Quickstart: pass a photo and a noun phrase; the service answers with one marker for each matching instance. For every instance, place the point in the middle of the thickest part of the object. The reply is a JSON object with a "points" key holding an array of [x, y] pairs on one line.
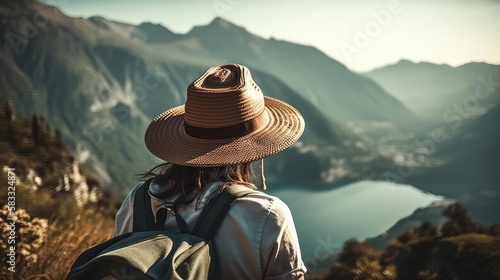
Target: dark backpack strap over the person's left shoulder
{"points": [[144, 218]]}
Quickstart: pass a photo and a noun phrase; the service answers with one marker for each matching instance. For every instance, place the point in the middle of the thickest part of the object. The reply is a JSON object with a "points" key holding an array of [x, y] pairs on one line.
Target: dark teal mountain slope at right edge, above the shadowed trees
{"points": [[470, 169]]}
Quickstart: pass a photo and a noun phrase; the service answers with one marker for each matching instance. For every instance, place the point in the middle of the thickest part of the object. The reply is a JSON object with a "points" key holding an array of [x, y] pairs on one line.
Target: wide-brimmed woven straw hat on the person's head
{"points": [[226, 120]]}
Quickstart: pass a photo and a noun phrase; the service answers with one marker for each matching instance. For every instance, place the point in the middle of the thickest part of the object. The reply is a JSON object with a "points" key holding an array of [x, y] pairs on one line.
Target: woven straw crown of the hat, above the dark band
{"points": [[223, 96]]}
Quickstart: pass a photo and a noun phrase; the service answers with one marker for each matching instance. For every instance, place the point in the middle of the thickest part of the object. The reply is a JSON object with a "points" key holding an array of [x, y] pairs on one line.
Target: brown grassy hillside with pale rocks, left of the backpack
{"points": [[58, 208]]}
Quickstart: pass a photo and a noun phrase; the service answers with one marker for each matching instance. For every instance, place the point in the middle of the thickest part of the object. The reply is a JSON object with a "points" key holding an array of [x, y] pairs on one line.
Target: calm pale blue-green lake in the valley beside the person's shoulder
{"points": [[325, 219]]}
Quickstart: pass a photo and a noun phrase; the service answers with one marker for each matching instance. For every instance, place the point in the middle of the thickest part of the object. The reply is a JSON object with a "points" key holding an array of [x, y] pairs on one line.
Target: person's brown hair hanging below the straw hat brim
{"points": [[190, 180]]}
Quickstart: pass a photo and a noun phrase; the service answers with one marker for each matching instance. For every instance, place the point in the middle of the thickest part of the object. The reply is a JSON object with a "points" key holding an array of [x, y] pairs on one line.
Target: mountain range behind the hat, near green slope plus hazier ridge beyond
{"points": [[101, 82]]}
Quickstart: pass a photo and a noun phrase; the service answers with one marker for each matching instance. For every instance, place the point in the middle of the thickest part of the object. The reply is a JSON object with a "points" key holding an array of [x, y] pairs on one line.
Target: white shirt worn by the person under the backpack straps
{"points": [[256, 240]]}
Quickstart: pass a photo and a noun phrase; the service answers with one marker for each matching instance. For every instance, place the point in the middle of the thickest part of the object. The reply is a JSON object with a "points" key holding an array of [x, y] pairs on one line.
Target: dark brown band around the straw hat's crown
{"points": [[237, 130]]}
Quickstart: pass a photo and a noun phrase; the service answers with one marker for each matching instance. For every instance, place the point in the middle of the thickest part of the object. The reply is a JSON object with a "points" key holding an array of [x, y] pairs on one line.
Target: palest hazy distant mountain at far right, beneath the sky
{"points": [[434, 92]]}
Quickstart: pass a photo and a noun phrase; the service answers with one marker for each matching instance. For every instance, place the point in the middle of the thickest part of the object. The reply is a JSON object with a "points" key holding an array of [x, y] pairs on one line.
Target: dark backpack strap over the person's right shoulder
{"points": [[213, 213]]}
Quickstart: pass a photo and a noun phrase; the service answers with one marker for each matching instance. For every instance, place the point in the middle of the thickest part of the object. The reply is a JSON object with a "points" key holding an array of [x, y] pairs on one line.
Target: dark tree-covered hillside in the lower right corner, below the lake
{"points": [[458, 249]]}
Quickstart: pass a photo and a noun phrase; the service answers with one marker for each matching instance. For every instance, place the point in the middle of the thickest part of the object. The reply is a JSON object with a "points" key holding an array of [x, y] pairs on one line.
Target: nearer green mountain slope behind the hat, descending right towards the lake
{"points": [[102, 85]]}
